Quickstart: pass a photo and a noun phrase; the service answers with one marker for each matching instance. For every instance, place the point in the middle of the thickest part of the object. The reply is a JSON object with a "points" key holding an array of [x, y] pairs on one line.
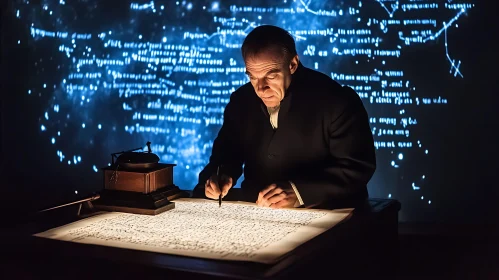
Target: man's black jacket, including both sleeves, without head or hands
{"points": [[323, 143]]}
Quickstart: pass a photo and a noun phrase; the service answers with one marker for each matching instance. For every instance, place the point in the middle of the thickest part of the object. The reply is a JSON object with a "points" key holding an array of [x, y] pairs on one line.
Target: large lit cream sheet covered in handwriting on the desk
{"points": [[238, 231]]}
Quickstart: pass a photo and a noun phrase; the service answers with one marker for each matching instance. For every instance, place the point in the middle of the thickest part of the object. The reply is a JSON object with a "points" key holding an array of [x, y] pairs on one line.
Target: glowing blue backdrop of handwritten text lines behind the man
{"points": [[112, 75]]}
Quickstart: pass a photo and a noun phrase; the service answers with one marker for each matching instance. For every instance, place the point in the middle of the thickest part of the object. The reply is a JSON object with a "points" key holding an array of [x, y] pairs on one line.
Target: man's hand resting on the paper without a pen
{"points": [[277, 196]]}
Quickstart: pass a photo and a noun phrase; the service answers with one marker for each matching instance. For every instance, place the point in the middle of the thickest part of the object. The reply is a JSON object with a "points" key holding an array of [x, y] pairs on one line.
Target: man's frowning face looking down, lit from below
{"points": [[270, 74]]}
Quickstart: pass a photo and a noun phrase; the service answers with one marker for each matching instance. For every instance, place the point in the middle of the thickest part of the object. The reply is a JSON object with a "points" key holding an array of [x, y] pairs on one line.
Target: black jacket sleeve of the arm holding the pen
{"points": [[226, 151]]}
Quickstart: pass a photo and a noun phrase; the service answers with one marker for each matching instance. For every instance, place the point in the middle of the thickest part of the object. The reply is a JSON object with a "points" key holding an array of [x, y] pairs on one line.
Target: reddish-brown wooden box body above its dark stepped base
{"points": [[142, 181]]}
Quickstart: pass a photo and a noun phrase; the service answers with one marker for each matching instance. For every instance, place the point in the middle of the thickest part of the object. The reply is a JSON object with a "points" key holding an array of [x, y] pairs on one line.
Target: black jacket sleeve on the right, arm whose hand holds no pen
{"points": [[352, 159]]}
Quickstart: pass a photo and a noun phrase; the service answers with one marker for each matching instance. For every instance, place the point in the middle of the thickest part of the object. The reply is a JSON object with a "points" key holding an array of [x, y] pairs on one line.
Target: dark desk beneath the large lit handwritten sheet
{"points": [[365, 245]]}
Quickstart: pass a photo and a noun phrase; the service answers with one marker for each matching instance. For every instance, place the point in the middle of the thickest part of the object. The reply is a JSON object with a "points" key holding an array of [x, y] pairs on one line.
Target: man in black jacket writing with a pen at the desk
{"points": [[302, 137]]}
